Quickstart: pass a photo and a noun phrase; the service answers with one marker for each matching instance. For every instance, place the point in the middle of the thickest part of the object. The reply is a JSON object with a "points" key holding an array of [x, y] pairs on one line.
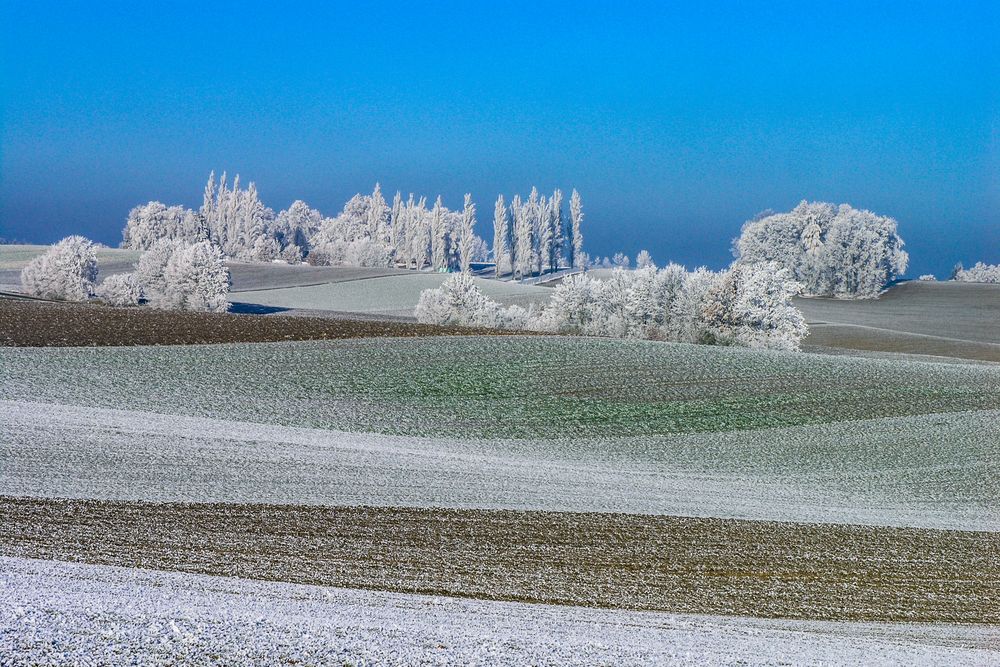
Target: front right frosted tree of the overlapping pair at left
{"points": [[197, 279]]}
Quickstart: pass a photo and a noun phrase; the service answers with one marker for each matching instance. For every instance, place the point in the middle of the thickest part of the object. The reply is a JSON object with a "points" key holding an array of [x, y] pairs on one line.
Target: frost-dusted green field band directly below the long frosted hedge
{"points": [[497, 387]]}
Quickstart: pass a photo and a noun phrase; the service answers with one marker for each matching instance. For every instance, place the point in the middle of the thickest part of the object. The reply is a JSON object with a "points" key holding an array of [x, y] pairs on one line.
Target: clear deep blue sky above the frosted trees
{"points": [[676, 122]]}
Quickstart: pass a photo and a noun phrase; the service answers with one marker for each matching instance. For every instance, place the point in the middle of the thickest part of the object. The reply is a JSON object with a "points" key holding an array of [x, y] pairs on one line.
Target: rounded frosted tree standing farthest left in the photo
{"points": [[67, 270]]}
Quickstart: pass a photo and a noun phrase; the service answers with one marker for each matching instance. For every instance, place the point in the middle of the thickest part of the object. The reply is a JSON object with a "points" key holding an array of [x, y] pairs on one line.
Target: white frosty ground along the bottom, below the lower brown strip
{"points": [[55, 613]]}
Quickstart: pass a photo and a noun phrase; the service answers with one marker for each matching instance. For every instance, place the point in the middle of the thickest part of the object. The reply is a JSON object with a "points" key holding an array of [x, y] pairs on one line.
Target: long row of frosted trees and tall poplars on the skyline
{"points": [[531, 235]]}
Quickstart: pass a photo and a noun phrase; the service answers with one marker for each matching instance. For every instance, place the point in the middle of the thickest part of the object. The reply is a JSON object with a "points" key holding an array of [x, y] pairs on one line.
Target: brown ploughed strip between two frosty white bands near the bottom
{"points": [[714, 566]]}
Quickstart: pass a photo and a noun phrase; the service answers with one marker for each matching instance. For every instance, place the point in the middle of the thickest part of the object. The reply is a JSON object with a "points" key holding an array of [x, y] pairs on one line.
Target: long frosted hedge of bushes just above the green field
{"points": [[748, 305]]}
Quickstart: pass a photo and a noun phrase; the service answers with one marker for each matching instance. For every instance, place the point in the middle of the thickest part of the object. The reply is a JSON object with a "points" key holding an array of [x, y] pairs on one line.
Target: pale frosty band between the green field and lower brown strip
{"points": [[931, 471]]}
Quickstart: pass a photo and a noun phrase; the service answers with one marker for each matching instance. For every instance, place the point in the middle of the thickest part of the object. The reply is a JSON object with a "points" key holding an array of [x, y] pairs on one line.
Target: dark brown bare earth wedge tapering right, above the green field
{"points": [[30, 323]]}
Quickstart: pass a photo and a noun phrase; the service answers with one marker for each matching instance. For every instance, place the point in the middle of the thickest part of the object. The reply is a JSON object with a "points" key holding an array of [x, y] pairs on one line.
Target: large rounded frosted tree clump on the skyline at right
{"points": [[831, 250]]}
